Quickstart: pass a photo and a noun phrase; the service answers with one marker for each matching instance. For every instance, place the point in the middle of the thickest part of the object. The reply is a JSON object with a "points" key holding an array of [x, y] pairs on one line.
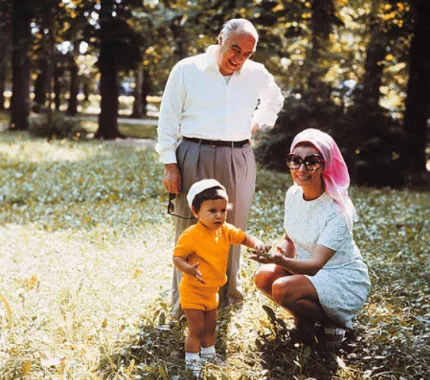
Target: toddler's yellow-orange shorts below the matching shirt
{"points": [[198, 297]]}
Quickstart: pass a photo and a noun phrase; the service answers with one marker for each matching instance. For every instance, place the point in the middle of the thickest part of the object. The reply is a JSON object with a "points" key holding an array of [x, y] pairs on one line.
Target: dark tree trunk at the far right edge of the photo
{"points": [[418, 90]]}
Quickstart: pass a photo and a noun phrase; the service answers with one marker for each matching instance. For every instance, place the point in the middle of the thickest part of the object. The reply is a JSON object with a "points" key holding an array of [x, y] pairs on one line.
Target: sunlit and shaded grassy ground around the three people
{"points": [[86, 269]]}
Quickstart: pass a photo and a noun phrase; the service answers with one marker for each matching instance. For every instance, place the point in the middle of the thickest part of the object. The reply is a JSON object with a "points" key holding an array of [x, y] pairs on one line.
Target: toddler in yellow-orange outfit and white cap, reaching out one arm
{"points": [[201, 254]]}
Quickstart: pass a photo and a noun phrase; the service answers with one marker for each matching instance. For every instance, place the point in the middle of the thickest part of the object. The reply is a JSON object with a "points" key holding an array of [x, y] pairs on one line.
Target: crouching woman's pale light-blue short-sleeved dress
{"points": [[343, 283]]}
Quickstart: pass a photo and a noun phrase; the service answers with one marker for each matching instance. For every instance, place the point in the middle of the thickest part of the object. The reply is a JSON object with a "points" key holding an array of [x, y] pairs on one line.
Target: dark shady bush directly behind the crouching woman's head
{"points": [[379, 156]]}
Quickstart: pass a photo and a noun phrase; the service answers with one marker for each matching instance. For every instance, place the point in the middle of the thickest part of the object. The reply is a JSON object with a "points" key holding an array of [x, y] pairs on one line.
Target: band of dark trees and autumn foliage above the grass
{"points": [[357, 69]]}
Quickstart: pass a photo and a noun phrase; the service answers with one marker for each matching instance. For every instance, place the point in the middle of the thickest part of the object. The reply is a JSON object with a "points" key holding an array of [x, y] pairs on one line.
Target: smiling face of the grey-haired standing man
{"points": [[234, 51]]}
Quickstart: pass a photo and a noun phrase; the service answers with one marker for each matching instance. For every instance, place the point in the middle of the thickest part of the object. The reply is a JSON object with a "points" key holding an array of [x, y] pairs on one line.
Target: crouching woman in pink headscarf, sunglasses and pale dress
{"points": [[317, 273]]}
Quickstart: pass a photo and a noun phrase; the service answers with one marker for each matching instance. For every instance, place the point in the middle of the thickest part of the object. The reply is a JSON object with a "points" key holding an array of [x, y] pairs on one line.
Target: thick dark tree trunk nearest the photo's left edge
{"points": [[21, 37]]}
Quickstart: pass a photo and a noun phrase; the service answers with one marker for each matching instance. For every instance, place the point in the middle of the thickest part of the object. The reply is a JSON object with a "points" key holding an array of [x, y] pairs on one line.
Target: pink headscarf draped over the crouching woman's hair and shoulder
{"points": [[335, 176]]}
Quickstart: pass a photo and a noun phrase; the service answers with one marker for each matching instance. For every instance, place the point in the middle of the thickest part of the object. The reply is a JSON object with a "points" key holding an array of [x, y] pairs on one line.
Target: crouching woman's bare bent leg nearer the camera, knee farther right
{"points": [[297, 294]]}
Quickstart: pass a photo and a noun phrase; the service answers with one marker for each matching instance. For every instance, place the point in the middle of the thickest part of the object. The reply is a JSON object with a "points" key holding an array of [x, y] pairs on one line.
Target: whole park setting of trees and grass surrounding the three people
{"points": [[82, 220]]}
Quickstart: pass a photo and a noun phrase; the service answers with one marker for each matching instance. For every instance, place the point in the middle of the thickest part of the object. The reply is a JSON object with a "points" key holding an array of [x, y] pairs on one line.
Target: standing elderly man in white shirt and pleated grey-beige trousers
{"points": [[216, 101]]}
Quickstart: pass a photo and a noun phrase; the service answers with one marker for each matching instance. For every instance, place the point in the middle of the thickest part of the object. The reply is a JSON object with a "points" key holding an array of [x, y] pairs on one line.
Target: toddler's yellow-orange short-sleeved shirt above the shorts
{"points": [[199, 244]]}
